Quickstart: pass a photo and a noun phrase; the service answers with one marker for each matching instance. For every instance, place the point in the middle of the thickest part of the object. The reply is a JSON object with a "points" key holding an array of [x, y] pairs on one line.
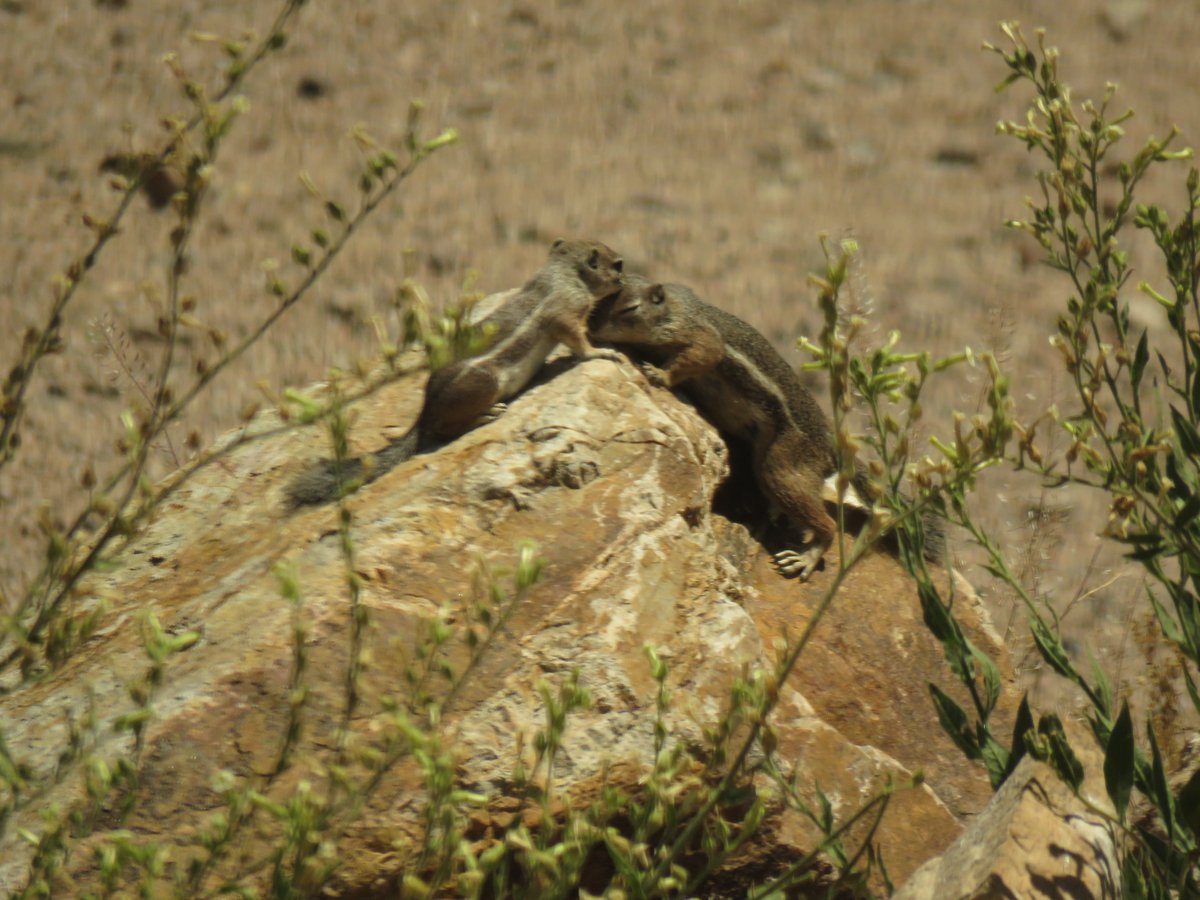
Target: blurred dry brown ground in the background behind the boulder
{"points": [[710, 142]]}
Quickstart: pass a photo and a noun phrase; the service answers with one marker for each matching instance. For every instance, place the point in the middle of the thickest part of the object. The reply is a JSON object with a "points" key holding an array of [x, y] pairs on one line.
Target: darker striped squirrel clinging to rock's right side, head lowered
{"points": [[747, 391]]}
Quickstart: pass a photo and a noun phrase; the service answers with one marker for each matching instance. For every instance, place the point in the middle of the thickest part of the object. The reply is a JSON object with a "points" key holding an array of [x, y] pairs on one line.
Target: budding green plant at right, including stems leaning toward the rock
{"points": [[1132, 437]]}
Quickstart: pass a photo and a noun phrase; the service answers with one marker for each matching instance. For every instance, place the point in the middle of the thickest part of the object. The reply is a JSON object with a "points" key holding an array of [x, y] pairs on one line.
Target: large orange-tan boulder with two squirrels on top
{"points": [[615, 482]]}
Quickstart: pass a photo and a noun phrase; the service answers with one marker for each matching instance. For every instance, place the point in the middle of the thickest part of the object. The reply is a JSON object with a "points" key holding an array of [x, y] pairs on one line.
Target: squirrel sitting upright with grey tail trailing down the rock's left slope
{"points": [[551, 309]]}
